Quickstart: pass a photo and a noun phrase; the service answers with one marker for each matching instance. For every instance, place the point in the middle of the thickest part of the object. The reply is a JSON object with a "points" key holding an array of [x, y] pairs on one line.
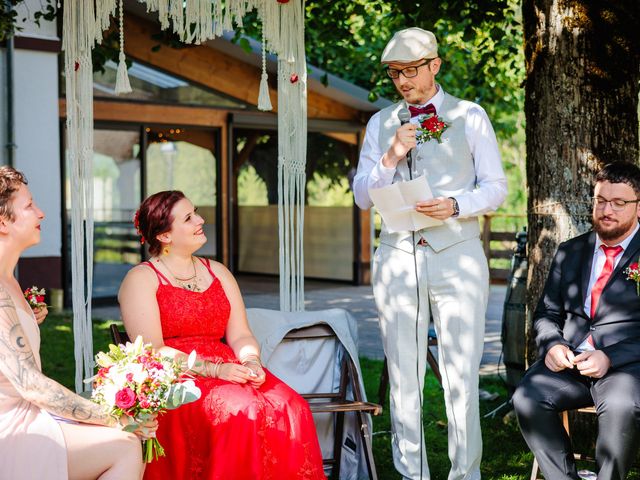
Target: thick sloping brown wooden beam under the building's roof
{"points": [[216, 70]]}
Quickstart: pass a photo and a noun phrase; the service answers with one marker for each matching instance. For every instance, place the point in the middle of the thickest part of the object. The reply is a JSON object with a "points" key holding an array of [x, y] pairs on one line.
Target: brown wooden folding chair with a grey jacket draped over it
{"points": [[337, 403]]}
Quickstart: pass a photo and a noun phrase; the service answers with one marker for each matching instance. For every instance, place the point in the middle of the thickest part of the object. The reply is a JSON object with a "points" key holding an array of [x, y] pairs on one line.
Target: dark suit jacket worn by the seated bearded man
{"points": [[560, 317]]}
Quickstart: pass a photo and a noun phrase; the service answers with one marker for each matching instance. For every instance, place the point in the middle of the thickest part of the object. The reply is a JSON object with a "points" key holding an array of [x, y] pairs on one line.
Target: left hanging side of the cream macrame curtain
{"points": [[79, 37]]}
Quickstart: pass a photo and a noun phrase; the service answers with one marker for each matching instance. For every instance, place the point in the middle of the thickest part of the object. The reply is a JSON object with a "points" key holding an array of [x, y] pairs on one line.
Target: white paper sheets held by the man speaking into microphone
{"points": [[396, 204]]}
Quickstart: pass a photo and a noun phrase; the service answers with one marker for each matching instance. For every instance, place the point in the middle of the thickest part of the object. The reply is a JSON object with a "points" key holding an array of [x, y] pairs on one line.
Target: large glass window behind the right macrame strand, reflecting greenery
{"points": [[328, 221]]}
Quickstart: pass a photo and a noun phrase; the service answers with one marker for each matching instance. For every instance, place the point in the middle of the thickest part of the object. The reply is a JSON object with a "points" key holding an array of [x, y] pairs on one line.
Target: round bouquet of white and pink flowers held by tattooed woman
{"points": [[135, 381]]}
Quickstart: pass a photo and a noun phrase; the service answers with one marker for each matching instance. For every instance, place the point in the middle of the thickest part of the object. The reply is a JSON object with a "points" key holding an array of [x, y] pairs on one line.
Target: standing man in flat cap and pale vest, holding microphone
{"points": [[441, 271]]}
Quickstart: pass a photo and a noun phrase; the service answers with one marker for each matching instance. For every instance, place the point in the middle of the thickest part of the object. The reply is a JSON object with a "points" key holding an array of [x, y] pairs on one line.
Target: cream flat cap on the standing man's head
{"points": [[410, 45]]}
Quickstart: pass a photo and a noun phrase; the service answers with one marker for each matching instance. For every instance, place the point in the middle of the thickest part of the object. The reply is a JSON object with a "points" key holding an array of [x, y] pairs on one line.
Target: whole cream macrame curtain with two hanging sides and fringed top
{"points": [[194, 21]]}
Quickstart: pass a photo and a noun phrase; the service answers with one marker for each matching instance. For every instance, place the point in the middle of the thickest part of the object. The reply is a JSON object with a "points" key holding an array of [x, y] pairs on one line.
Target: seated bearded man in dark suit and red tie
{"points": [[587, 327]]}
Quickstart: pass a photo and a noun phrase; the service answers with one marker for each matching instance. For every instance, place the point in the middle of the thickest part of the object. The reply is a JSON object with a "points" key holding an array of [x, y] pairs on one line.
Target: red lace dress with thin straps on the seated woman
{"points": [[234, 432]]}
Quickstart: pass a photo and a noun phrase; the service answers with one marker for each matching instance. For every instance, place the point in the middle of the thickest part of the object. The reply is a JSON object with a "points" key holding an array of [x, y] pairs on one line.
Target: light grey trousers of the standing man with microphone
{"points": [[453, 286]]}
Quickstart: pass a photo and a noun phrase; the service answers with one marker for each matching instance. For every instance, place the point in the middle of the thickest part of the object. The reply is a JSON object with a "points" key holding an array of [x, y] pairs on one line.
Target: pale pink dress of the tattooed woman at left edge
{"points": [[32, 446]]}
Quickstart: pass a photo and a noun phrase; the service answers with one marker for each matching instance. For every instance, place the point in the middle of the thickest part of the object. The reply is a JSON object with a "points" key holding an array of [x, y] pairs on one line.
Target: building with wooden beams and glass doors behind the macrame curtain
{"points": [[190, 124]]}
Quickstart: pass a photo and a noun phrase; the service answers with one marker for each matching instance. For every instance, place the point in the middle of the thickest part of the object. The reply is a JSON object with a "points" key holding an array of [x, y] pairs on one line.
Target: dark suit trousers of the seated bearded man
{"points": [[542, 394]]}
